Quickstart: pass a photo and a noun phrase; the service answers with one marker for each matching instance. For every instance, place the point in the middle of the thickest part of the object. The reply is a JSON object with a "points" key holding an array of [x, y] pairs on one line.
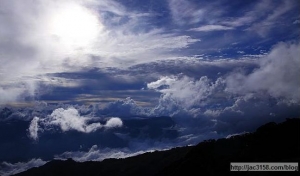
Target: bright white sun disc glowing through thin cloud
{"points": [[74, 26]]}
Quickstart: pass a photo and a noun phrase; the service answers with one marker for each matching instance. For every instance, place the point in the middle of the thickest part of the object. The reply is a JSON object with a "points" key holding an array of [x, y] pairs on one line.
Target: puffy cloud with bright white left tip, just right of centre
{"points": [[186, 92]]}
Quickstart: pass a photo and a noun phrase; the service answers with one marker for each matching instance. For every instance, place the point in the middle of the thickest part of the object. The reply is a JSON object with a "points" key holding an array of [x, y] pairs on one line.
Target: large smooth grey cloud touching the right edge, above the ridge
{"points": [[277, 75]]}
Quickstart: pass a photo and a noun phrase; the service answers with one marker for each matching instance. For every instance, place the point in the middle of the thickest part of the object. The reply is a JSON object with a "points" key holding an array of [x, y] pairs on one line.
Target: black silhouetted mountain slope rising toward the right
{"points": [[270, 143]]}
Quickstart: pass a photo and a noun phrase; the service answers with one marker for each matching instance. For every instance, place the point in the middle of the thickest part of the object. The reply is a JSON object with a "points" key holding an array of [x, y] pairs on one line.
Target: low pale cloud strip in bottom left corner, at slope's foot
{"points": [[7, 169]]}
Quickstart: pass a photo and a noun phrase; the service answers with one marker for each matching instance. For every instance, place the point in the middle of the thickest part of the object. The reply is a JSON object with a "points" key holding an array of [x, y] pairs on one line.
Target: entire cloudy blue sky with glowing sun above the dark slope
{"points": [[93, 79]]}
